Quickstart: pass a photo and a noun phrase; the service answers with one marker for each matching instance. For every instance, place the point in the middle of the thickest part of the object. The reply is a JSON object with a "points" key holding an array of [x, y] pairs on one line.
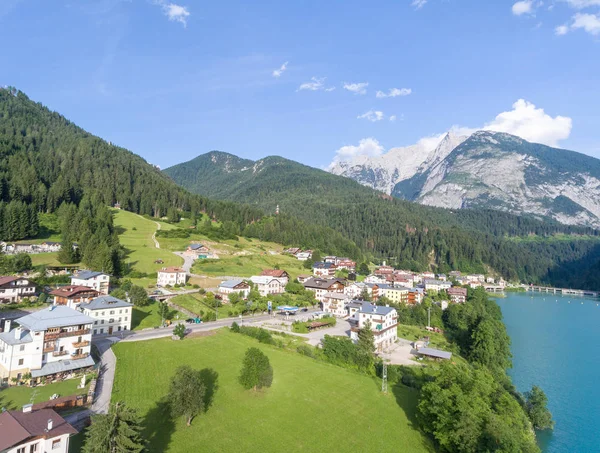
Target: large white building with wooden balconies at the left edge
{"points": [[50, 343]]}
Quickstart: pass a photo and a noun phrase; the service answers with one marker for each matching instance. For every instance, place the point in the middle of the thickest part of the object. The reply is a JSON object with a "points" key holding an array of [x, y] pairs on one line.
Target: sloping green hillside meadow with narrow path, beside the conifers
{"points": [[135, 234]]}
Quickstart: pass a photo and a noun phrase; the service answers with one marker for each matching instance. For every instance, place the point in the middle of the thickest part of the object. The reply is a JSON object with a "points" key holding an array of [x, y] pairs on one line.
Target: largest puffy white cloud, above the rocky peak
{"points": [[533, 124]]}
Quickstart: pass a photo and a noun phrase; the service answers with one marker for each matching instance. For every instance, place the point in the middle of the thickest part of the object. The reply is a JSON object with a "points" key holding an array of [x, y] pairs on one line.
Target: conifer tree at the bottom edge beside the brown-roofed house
{"points": [[118, 431]]}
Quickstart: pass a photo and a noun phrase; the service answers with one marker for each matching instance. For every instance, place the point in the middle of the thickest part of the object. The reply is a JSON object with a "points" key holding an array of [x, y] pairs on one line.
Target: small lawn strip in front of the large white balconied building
{"points": [[15, 397]]}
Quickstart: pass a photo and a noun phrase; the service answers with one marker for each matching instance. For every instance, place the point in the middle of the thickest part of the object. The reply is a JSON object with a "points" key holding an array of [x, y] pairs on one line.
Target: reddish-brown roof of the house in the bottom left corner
{"points": [[17, 426]]}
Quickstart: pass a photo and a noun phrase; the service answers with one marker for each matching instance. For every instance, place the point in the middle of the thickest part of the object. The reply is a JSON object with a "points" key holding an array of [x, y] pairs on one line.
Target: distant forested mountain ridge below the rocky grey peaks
{"points": [[408, 234]]}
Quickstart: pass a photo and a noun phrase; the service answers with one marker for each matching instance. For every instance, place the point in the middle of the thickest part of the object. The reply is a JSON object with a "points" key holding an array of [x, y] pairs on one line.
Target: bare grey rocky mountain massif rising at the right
{"points": [[493, 170]]}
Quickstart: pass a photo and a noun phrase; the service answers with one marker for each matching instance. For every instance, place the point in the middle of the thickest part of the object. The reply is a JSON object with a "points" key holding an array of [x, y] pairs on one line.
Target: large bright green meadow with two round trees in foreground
{"points": [[311, 406]]}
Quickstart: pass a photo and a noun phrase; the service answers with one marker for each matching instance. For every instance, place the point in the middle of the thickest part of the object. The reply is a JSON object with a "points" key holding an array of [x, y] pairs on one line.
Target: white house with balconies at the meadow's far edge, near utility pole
{"points": [[383, 321]]}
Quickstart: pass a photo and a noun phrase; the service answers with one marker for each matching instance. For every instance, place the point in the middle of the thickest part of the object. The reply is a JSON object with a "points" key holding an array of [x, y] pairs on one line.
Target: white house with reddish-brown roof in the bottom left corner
{"points": [[29, 431]]}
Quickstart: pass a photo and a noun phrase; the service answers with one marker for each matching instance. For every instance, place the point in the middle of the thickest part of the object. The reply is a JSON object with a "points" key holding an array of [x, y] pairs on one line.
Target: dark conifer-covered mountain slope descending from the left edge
{"points": [[47, 162]]}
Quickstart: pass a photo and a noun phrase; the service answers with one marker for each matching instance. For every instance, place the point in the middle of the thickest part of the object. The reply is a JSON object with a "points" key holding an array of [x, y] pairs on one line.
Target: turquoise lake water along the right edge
{"points": [[556, 345]]}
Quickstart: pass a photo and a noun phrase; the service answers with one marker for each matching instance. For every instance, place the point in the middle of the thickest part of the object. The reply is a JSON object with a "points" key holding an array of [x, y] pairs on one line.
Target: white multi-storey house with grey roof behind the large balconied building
{"points": [[110, 314]]}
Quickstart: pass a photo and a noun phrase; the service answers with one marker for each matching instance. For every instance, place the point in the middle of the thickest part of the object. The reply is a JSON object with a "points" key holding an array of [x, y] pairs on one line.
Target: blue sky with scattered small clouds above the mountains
{"points": [[170, 81]]}
